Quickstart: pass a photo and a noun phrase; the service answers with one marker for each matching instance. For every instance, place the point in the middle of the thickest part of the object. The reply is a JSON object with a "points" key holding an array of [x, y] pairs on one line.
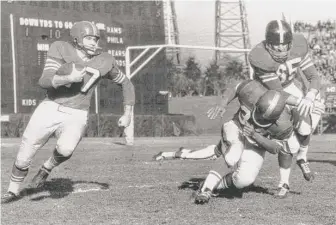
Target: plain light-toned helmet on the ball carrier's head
{"points": [[82, 29]]}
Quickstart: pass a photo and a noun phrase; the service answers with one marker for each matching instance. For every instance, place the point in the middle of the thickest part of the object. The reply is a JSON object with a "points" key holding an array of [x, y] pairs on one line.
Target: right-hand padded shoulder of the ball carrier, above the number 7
{"points": [[103, 62]]}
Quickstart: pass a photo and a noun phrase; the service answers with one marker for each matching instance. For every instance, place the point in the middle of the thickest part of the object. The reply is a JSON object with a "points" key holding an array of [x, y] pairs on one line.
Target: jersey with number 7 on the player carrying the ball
{"points": [[71, 96]]}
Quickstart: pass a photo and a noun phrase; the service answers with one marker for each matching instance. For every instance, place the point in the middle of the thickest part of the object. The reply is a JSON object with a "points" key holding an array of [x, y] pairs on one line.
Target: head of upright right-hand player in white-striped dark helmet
{"points": [[279, 38]]}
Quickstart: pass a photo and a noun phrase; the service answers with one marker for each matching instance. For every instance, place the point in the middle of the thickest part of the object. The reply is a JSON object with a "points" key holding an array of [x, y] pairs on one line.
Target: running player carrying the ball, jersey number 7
{"points": [[71, 73]]}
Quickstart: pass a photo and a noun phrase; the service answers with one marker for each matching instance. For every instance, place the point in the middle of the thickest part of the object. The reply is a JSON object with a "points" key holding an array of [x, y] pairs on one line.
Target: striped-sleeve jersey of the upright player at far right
{"points": [[277, 75]]}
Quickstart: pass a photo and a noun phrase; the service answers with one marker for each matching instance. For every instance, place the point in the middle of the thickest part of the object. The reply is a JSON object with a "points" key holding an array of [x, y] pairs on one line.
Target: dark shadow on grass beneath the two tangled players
{"points": [[230, 193]]}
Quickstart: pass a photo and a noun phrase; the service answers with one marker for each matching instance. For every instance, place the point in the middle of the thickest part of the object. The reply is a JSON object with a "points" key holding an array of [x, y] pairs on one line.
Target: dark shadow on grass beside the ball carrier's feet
{"points": [[59, 188]]}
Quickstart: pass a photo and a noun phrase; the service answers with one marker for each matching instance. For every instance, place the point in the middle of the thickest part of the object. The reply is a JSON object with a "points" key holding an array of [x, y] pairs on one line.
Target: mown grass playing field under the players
{"points": [[106, 182]]}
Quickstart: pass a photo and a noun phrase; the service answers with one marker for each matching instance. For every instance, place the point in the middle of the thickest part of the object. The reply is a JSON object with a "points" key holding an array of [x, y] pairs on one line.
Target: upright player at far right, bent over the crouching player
{"points": [[276, 62]]}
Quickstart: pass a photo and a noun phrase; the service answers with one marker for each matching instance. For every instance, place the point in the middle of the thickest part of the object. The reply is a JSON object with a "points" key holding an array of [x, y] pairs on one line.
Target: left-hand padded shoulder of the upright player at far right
{"points": [[260, 58]]}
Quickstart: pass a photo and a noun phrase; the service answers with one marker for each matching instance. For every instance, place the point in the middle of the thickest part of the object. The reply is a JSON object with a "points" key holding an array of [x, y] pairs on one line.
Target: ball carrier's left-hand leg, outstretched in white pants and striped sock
{"points": [[41, 125]]}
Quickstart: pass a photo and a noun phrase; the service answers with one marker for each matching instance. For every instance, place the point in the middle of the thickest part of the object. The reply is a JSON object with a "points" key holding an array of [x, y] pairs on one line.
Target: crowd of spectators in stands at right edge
{"points": [[322, 41]]}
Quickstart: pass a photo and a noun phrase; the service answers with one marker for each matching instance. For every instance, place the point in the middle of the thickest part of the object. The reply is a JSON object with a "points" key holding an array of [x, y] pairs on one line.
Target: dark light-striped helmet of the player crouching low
{"points": [[268, 108]]}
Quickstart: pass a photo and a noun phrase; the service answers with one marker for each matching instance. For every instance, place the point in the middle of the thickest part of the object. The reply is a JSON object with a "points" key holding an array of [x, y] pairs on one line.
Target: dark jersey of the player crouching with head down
{"points": [[248, 93]]}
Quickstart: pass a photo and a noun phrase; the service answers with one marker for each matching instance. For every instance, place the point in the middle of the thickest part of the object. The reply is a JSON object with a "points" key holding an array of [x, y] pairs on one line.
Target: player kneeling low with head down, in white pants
{"points": [[263, 123]]}
